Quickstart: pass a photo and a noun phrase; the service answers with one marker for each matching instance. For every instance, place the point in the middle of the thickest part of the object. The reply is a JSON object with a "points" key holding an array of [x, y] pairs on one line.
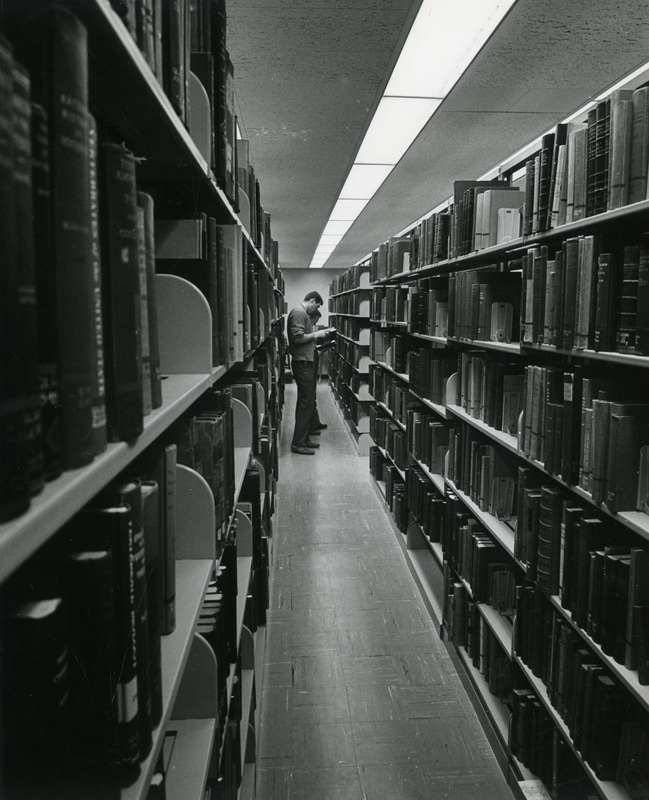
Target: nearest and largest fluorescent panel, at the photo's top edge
{"points": [[442, 42]]}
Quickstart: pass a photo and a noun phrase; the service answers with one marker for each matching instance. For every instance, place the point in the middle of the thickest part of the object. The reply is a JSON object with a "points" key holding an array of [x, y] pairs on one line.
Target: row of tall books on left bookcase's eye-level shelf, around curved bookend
{"points": [[85, 368]]}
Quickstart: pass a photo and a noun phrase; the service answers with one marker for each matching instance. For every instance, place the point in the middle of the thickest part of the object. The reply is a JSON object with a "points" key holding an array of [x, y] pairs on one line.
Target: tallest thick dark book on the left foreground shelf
{"points": [[56, 54]]}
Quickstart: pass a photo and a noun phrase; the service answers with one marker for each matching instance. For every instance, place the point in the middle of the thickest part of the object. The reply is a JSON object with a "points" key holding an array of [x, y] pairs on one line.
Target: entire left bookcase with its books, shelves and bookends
{"points": [[212, 297]]}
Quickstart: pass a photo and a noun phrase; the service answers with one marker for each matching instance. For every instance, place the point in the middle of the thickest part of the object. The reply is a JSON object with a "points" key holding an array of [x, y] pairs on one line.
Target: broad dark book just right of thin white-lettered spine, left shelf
{"points": [[121, 295]]}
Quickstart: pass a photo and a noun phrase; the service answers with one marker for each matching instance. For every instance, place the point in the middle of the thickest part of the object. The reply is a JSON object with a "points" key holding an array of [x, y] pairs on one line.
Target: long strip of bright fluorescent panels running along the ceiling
{"points": [[441, 44]]}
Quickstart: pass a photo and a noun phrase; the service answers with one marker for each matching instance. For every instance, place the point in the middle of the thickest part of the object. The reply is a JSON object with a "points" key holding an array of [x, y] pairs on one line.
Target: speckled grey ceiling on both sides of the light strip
{"points": [[309, 74]]}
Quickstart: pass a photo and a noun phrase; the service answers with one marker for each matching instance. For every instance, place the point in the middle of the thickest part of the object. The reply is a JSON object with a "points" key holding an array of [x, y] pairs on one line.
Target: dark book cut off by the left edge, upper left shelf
{"points": [[15, 478]]}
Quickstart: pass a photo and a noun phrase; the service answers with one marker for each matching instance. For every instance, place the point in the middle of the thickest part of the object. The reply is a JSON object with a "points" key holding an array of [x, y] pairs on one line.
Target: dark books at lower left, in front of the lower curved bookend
{"points": [[81, 651]]}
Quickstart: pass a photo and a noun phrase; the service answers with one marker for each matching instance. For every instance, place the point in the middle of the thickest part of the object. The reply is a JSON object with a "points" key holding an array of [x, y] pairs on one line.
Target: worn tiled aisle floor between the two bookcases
{"points": [[361, 699]]}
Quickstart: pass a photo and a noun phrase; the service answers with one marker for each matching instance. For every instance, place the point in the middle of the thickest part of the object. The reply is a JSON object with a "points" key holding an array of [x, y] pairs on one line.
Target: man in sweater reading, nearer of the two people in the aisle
{"points": [[301, 345]]}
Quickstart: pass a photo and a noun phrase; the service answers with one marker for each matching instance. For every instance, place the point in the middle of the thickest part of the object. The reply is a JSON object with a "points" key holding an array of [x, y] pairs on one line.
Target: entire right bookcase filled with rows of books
{"points": [[495, 369]]}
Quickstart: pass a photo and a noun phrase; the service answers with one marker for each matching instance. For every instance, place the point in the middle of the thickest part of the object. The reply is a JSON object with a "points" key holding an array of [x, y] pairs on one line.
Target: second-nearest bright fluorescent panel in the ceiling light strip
{"points": [[396, 124]]}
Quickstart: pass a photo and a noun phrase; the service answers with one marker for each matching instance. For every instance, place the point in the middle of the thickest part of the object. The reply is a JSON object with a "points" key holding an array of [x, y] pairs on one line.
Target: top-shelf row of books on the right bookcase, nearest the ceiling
{"points": [[581, 169]]}
